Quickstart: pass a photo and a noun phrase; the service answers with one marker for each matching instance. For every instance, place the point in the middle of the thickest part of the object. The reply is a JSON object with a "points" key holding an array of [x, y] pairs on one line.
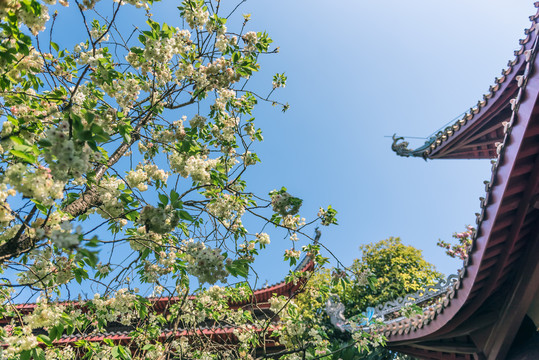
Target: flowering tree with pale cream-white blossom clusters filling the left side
{"points": [[123, 160]]}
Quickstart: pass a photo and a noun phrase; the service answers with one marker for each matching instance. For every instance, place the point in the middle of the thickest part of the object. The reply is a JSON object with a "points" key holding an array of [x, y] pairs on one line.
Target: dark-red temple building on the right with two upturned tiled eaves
{"points": [[490, 310]]}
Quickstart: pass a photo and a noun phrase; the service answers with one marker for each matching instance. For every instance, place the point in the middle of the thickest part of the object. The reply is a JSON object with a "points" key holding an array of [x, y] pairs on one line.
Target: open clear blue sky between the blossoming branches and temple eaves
{"points": [[362, 70]]}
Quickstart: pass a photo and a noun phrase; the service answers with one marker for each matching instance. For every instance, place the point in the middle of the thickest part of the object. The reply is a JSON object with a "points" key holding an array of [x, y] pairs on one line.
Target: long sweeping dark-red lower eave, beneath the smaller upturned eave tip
{"points": [[507, 226]]}
